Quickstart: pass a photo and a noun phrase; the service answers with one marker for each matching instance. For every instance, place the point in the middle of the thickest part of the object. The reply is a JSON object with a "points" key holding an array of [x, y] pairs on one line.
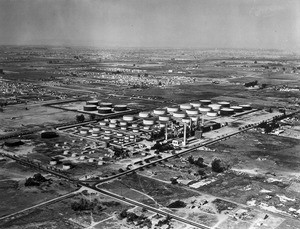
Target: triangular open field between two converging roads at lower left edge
{"points": [[15, 196]]}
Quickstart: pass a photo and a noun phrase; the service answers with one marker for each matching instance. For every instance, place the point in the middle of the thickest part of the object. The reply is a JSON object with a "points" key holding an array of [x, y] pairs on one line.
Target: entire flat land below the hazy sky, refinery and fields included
{"points": [[123, 140]]}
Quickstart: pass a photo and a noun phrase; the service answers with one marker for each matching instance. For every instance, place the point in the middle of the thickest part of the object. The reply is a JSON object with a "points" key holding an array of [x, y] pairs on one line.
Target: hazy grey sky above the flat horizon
{"points": [[152, 23]]}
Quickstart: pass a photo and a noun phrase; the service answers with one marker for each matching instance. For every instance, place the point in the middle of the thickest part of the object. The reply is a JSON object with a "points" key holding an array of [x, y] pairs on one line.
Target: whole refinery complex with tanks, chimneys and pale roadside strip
{"points": [[180, 127]]}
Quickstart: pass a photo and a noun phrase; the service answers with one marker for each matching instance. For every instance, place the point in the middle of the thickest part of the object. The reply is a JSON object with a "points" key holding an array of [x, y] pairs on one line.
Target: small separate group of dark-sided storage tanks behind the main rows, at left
{"points": [[103, 107]]}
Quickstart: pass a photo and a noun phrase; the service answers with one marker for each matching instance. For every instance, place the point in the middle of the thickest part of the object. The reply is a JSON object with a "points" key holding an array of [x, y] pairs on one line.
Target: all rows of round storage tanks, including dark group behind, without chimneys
{"points": [[135, 124]]}
